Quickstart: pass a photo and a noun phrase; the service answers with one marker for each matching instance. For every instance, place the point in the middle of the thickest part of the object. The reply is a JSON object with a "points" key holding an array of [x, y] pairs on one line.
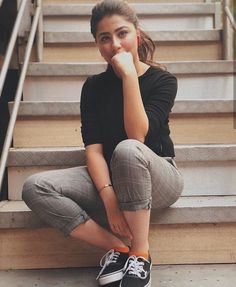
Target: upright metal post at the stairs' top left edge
{"points": [[39, 34]]}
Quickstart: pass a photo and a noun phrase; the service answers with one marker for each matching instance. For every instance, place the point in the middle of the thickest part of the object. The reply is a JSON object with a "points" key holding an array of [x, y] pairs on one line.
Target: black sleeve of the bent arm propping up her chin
{"points": [[159, 104]]}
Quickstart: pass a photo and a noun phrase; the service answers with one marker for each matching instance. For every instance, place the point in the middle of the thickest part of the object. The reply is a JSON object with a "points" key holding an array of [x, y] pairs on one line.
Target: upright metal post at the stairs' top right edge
{"points": [[227, 33]]}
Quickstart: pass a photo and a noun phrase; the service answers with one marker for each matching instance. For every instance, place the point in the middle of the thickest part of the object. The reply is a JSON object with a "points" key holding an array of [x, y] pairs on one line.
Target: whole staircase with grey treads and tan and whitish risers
{"points": [[201, 226]]}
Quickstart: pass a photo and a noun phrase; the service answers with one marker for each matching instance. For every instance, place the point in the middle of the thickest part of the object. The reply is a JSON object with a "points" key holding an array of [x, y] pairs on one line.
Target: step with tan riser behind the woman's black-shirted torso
{"points": [[45, 124]]}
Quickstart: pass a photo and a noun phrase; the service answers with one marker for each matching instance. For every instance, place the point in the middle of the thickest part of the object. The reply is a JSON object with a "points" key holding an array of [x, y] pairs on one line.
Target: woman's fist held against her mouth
{"points": [[123, 64]]}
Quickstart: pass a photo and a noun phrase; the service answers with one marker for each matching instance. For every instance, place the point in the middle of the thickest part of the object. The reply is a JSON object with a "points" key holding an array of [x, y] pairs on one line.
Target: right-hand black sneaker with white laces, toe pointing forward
{"points": [[137, 272]]}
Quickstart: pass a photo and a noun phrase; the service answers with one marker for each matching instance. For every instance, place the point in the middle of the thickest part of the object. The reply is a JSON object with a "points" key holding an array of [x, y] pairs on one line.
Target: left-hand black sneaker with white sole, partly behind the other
{"points": [[112, 264]]}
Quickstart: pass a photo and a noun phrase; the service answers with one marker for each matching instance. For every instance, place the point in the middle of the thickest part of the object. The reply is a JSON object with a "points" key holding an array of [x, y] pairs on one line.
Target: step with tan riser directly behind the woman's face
{"points": [[171, 45]]}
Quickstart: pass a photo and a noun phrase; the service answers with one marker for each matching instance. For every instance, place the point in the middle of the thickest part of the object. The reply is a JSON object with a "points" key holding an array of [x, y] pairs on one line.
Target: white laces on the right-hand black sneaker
{"points": [[135, 267]]}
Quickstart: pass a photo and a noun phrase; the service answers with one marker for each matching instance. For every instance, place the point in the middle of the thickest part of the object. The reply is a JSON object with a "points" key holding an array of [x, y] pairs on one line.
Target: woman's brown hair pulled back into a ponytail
{"points": [[146, 48]]}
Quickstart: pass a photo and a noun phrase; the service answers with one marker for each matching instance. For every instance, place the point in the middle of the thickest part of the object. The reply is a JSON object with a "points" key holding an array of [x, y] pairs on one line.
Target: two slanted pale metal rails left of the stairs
{"points": [[8, 138]]}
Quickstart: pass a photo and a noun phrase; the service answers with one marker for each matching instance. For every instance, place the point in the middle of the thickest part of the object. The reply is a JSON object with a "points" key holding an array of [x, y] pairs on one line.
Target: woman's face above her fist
{"points": [[114, 35]]}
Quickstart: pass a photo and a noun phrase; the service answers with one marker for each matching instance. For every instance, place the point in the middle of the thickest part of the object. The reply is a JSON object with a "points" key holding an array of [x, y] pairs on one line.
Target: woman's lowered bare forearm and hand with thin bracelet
{"points": [[99, 173]]}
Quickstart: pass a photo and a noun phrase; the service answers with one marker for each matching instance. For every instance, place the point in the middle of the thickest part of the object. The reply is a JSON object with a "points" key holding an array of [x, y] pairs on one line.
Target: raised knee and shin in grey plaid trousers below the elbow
{"points": [[130, 173]]}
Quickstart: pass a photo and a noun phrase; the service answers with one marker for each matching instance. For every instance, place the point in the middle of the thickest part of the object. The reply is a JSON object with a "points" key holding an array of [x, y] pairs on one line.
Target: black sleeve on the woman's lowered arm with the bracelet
{"points": [[90, 125]]}
